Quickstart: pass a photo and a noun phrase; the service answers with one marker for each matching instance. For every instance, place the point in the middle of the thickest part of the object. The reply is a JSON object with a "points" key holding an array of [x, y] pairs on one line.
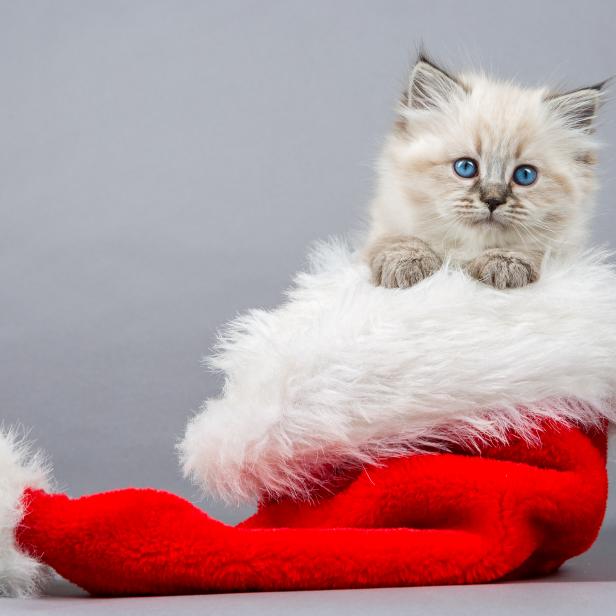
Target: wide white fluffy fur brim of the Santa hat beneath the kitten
{"points": [[345, 372]]}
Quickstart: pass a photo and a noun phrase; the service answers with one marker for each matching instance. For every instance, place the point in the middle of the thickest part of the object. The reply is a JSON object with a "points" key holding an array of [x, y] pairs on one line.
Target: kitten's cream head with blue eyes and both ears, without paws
{"points": [[490, 163]]}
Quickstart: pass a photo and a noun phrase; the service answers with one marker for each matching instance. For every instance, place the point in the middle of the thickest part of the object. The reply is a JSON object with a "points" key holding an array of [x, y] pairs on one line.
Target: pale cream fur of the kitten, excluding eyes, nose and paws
{"points": [[501, 126]]}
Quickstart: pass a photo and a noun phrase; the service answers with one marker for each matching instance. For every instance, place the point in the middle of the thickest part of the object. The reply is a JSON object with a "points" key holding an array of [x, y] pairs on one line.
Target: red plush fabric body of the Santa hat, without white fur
{"points": [[513, 511]]}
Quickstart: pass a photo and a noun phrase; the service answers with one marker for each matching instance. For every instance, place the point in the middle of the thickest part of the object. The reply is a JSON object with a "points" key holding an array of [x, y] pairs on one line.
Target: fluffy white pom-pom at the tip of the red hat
{"points": [[20, 468]]}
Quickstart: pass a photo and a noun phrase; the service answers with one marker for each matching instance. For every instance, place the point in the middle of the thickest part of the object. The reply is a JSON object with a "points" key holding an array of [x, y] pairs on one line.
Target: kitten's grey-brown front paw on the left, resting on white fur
{"points": [[401, 261]]}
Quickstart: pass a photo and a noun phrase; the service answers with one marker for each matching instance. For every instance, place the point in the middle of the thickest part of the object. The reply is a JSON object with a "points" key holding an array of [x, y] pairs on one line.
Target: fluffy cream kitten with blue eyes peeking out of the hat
{"points": [[485, 173]]}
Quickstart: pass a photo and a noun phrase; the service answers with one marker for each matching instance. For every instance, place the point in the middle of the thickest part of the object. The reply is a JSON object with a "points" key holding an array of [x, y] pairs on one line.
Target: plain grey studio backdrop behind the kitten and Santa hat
{"points": [[164, 165]]}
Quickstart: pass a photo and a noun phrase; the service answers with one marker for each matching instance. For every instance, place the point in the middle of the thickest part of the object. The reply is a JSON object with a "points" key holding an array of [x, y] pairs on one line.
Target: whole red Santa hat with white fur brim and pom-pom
{"points": [[445, 434]]}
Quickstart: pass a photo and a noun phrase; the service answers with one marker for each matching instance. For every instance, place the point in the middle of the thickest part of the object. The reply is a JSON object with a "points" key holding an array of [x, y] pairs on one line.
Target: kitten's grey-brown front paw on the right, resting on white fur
{"points": [[503, 269]]}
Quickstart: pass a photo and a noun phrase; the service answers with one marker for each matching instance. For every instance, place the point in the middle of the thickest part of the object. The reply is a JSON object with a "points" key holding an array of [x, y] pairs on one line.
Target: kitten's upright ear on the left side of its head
{"points": [[430, 87]]}
